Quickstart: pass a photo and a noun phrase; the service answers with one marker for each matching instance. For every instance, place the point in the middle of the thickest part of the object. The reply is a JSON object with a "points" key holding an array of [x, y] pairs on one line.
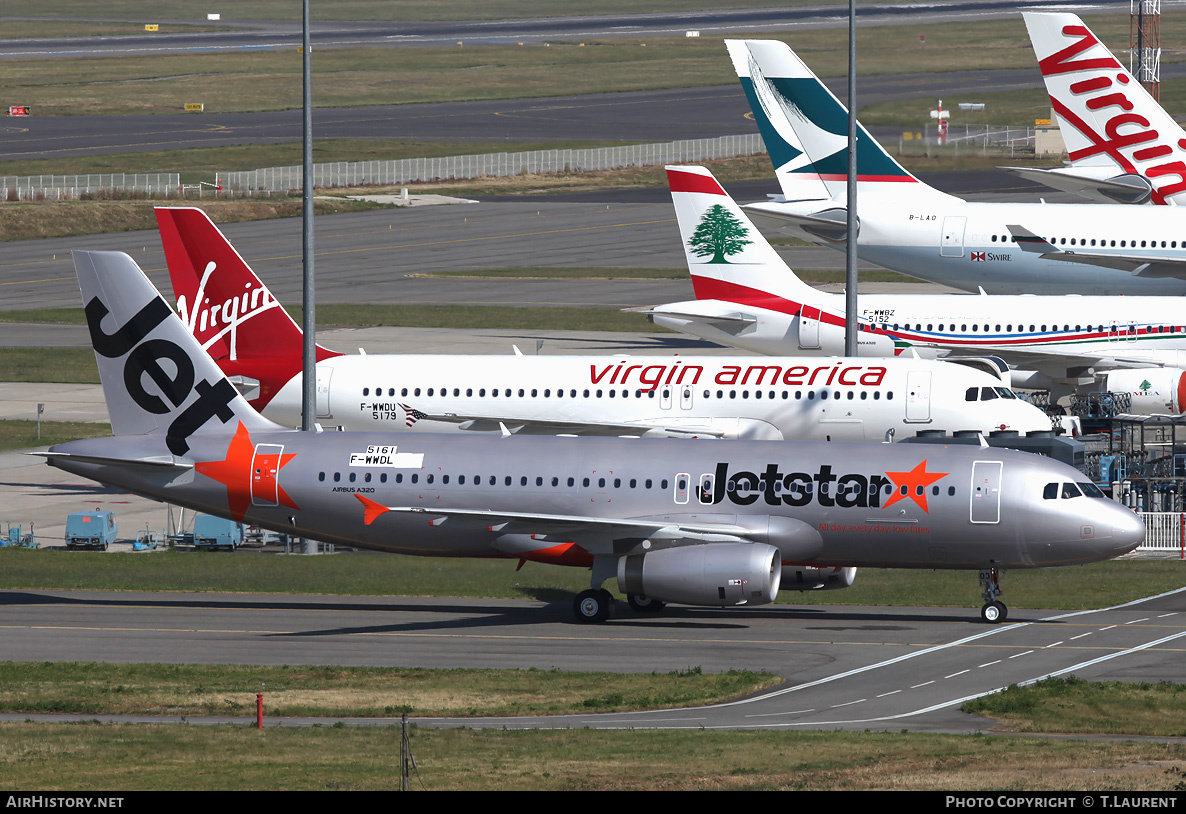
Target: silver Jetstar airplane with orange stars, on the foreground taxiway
{"points": [[653, 513]]}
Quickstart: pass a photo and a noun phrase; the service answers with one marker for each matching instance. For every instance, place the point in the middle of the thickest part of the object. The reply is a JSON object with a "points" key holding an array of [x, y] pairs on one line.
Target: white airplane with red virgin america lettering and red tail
{"points": [[244, 328]]}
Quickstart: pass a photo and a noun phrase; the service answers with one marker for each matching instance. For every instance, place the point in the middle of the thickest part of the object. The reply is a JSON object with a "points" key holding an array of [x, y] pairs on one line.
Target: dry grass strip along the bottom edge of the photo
{"points": [[94, 759]]}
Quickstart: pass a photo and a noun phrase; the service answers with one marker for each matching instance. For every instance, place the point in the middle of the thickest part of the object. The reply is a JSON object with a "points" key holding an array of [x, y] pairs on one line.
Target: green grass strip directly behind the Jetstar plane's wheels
{"points": [[372, 575]]}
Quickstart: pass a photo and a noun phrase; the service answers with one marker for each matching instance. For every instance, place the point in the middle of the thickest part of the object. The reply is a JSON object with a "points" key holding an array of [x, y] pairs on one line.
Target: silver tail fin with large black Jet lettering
{"points": [[157, 379]]}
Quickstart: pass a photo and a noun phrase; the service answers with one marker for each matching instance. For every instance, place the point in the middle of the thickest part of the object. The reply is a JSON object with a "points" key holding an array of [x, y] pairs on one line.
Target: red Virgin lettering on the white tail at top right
{"points": [[1128, 138]]}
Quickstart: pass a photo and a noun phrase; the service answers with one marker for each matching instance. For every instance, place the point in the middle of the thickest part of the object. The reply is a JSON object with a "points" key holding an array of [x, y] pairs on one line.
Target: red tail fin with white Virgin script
{"points": [[225, 304]]}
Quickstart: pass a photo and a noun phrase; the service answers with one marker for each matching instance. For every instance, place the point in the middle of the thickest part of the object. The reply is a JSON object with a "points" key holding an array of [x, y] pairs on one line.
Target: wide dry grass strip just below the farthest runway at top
{"points": [[269, 80]]}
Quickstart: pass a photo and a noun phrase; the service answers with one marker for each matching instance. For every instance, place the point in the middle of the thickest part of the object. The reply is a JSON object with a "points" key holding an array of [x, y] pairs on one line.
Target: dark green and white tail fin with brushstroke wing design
{"points": [[788, 98]]}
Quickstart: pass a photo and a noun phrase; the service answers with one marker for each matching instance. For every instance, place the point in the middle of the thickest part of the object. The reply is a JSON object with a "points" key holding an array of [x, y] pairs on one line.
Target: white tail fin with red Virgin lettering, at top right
{"points": [[1115, 132]]}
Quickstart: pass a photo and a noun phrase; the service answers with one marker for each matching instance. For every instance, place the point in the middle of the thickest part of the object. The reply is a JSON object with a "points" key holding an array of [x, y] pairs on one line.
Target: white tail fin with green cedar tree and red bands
{"points": [[728, 257]]}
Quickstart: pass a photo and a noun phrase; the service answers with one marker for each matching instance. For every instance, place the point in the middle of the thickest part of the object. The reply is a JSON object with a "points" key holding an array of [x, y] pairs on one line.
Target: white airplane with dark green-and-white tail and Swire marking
{"points": [[904, 225]]}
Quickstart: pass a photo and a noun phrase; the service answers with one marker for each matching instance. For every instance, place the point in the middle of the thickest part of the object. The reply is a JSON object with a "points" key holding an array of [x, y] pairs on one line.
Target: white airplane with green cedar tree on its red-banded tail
{"points": [[749, 298]]}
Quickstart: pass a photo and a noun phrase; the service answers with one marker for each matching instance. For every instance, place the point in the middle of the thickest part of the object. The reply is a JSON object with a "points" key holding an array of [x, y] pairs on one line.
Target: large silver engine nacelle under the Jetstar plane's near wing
{"points": [[715, 574]]}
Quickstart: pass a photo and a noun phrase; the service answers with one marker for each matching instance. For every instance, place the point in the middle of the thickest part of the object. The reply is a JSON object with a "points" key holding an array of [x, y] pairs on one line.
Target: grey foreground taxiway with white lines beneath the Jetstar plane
{"points": [[846, 669]]}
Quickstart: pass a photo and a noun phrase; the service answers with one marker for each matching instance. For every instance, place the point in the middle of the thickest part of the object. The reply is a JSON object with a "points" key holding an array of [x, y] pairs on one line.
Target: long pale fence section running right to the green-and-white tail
{"points": [[273, 181]]}
